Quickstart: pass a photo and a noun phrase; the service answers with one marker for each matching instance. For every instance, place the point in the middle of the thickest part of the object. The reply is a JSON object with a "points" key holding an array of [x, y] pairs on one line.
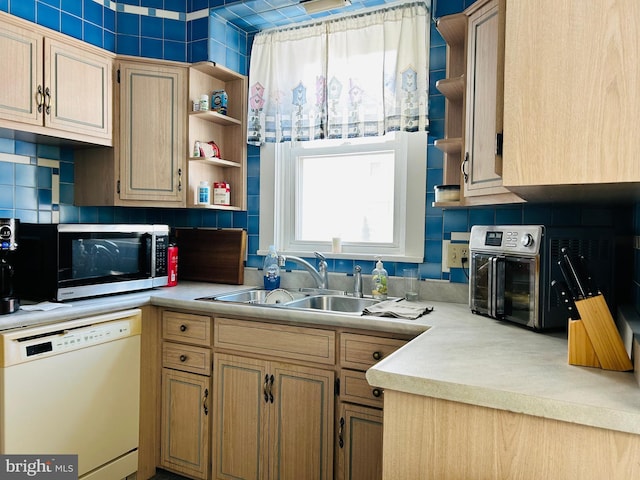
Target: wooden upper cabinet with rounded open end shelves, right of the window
{"points": [[474, 104]]}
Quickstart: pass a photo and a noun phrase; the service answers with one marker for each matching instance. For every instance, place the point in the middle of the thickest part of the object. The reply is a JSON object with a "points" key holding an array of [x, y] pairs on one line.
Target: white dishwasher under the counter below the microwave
{"points": [[74, 388]]}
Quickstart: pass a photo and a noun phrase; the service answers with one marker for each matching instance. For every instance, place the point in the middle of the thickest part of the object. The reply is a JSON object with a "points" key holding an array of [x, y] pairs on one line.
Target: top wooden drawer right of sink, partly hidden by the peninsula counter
{"points": [[363, 351]]}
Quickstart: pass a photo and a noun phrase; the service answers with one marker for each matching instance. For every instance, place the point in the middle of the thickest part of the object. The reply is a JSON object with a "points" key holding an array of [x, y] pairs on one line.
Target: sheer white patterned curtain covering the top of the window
{"points": [[361, 75]]}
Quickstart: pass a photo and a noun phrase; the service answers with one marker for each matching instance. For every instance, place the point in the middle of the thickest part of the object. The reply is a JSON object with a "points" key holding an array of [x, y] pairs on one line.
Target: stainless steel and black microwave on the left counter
{"points": [[67, 261]]}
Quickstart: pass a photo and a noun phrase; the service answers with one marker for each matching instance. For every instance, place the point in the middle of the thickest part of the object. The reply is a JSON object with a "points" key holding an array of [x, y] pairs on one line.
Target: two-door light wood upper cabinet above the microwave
{"points": [[54, 85]]}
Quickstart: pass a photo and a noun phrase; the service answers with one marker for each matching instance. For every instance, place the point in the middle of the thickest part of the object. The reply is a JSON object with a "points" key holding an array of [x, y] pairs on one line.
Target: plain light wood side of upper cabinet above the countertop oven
{"points": [[572, 99]]}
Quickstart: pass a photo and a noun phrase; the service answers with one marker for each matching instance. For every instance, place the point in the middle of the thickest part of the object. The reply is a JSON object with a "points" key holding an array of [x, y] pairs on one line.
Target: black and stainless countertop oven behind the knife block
{"points": [[512, 267]]}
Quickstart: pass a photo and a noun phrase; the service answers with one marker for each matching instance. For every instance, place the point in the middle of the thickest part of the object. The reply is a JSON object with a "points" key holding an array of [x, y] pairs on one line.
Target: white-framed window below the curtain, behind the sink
{"points": [[368, 191]]}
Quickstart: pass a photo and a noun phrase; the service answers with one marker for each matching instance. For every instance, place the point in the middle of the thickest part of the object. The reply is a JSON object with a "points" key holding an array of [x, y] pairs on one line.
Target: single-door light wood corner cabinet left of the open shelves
{"points": [[146, 167]]}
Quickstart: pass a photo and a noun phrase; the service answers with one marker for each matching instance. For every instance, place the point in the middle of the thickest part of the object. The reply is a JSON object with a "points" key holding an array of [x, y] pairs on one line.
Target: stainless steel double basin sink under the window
{"points": [[326, 301]]}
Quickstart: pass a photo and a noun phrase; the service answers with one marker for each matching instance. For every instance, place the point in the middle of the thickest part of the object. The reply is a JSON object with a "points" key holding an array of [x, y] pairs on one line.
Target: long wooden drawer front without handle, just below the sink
{"points": [[287, 341]]}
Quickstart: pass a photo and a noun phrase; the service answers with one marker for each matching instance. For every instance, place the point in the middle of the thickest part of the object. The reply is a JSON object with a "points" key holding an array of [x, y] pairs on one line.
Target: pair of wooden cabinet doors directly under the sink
{"points": [[272, 420]]}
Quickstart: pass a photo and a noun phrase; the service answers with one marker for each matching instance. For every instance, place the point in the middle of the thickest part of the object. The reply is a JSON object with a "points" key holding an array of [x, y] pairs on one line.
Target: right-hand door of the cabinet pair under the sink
{"points": [[302, 425]]}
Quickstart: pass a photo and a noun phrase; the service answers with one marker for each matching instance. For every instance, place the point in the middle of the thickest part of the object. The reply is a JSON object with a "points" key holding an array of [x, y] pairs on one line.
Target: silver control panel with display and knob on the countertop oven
{"points": [[506, 239]]}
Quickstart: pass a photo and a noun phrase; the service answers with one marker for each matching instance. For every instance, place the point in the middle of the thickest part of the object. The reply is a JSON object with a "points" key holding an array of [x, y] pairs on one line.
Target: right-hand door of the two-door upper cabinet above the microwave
{"points": [[79, 83]]}
